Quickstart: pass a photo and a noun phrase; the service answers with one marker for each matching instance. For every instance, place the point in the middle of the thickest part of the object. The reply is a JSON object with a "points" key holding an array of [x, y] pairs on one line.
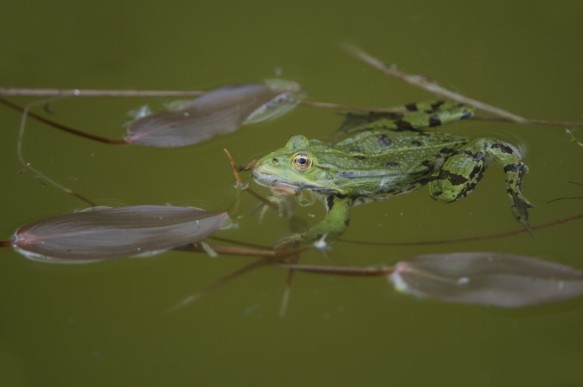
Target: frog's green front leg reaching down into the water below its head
{"points": [[336, 221]]}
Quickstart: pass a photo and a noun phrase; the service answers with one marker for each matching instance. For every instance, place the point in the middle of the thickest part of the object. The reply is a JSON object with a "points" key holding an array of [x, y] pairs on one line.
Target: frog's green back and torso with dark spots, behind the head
{"points": [[381, 162]]}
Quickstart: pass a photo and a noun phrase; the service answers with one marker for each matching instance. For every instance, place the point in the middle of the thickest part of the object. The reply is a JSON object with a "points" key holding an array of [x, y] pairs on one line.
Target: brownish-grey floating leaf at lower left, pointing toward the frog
{"points": [[106, 233]]}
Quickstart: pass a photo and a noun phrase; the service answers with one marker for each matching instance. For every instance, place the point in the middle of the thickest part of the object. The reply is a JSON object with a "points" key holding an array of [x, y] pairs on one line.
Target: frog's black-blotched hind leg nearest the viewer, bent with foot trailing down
{"points": [[463, 170]]}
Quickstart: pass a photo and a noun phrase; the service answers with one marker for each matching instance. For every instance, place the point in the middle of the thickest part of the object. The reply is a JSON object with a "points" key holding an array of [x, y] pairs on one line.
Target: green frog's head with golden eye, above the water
{"points": [[292, 168]]}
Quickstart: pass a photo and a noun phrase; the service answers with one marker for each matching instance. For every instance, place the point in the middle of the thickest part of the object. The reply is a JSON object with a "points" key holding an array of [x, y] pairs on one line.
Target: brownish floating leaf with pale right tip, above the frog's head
{"points": [[219, 111]]}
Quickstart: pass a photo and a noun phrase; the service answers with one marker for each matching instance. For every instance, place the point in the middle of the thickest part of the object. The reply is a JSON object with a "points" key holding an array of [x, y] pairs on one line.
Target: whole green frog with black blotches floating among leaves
{"points": [[387, 155]]}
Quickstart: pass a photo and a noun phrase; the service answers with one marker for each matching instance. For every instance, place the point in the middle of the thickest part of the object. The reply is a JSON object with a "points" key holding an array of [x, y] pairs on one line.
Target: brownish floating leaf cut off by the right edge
{"points": [[487, 279]]}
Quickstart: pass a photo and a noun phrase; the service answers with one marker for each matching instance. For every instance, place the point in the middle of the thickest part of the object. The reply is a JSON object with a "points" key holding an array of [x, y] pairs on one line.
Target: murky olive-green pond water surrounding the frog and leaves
{"points": [[107, 323]]}
